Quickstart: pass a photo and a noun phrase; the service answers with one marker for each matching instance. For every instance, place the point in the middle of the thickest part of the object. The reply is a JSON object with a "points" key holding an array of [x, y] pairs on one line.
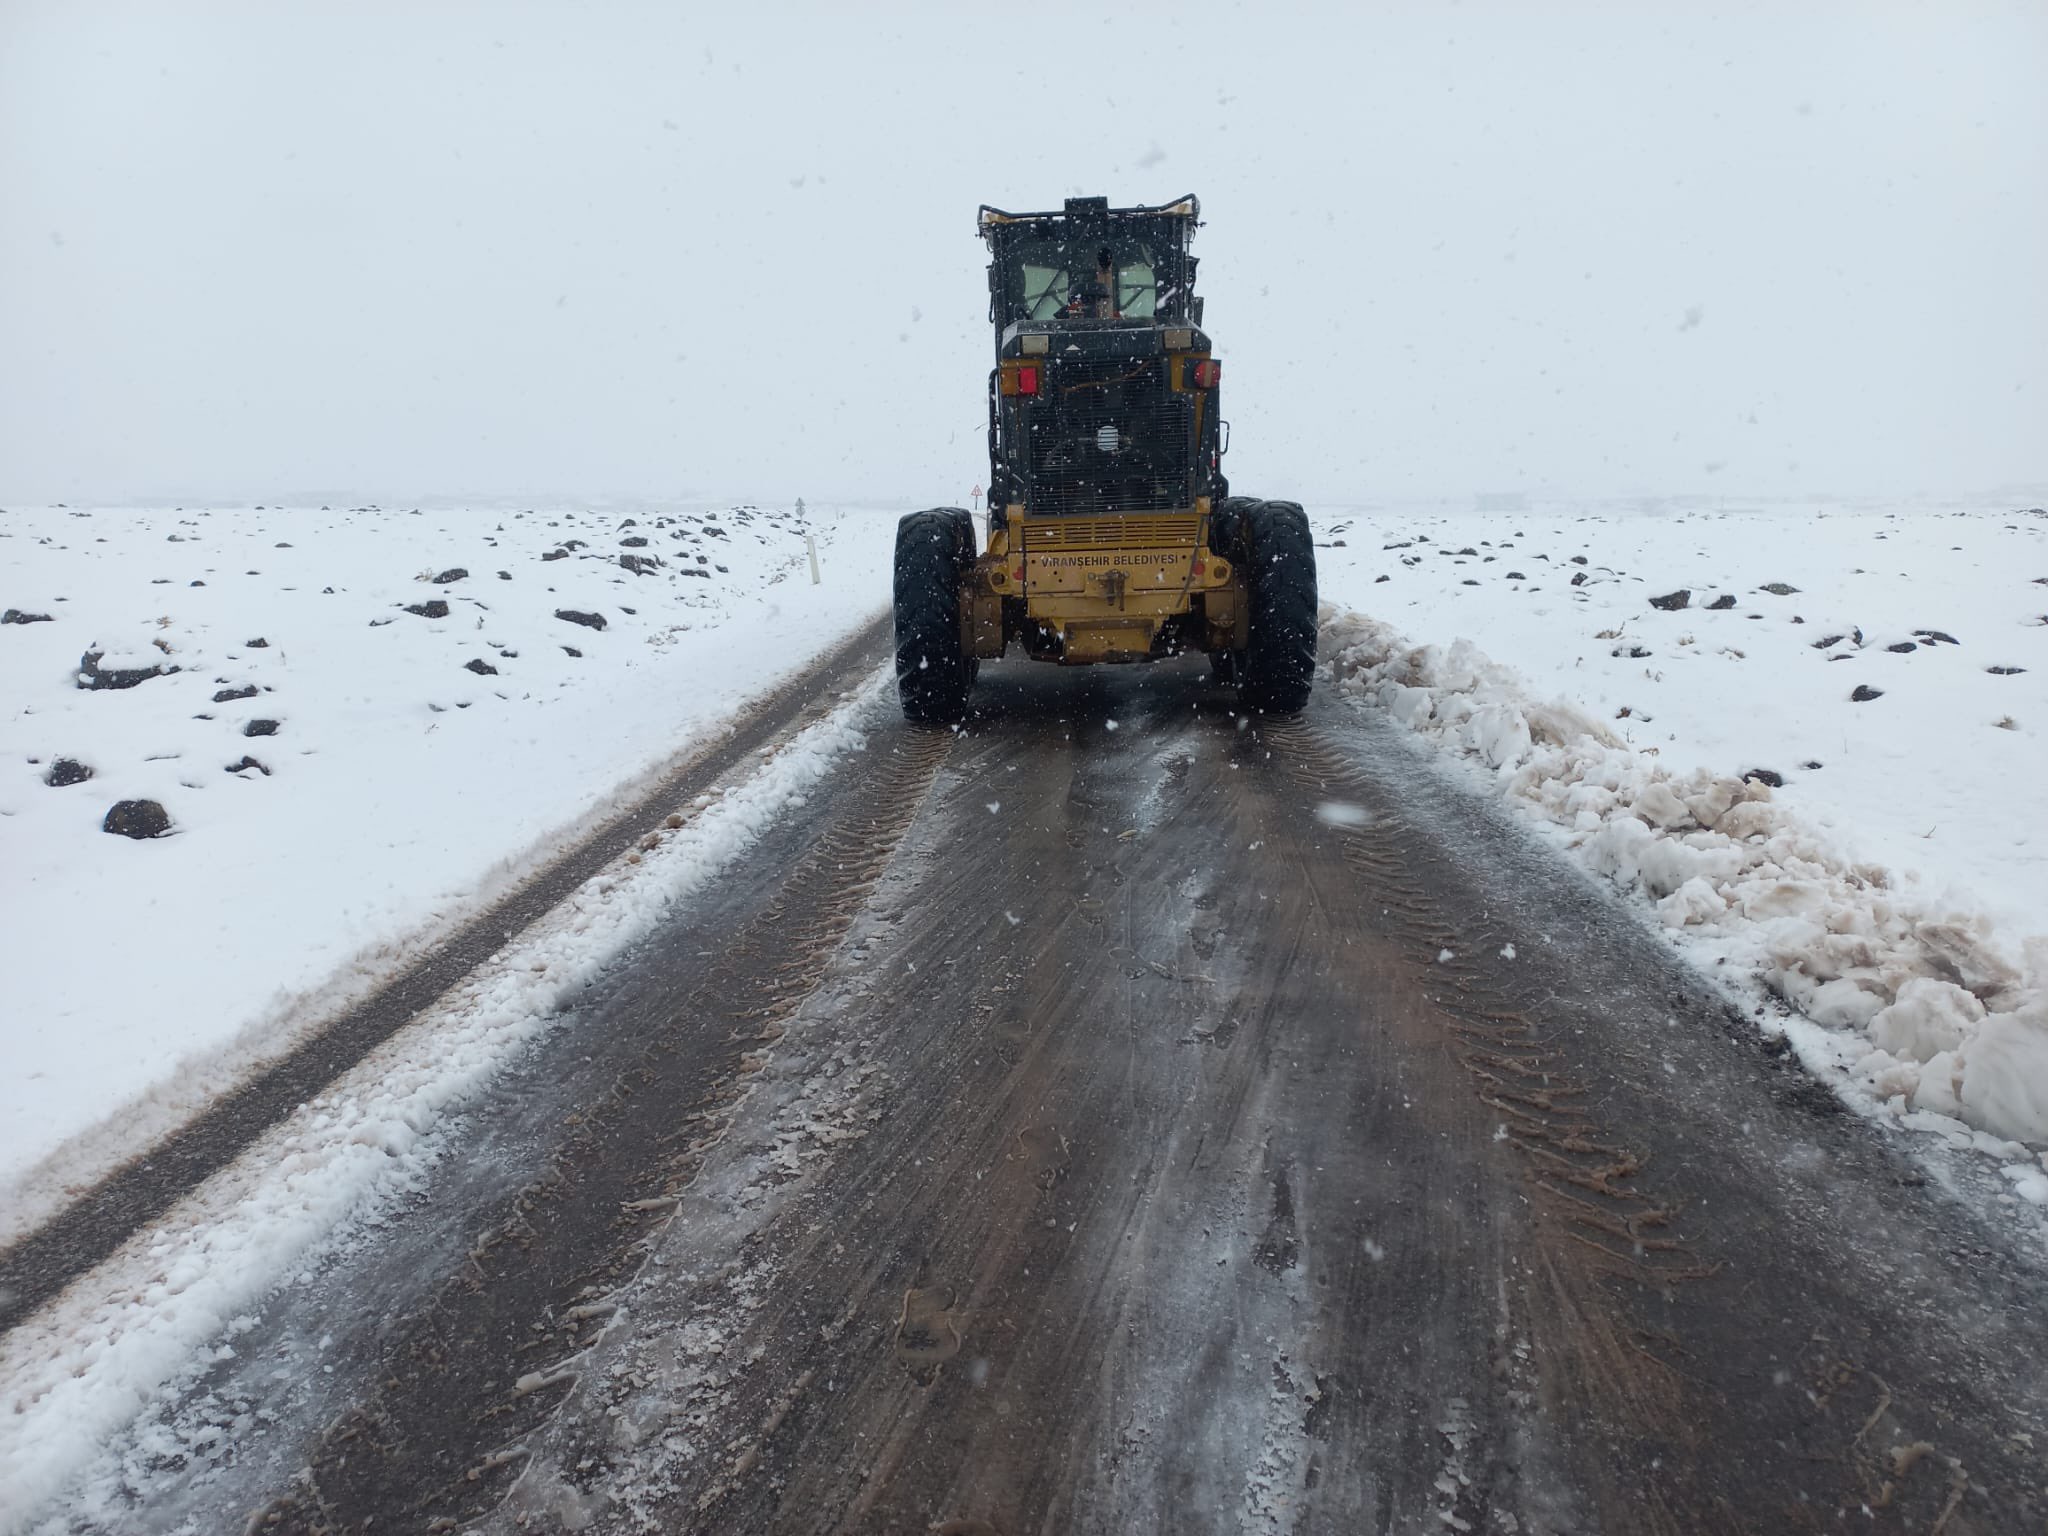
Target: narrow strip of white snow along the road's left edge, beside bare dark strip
{"points": [[95, 1359]]}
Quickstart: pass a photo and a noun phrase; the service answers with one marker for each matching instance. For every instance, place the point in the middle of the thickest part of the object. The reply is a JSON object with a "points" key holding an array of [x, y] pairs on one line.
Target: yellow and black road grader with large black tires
{"points": [[1113, 536]]}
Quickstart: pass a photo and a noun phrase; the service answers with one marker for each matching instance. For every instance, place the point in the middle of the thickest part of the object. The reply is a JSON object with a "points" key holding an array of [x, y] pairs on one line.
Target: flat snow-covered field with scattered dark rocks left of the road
{"points": [[437, 728]]}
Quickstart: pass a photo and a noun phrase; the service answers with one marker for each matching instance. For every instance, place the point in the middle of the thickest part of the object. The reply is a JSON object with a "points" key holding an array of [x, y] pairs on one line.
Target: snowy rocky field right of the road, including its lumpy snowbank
{"points": [[1824, 765]]}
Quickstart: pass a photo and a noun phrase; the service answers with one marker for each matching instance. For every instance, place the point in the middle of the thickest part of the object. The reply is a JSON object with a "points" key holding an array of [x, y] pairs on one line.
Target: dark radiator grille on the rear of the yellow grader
{"points": [[1109, 437]]}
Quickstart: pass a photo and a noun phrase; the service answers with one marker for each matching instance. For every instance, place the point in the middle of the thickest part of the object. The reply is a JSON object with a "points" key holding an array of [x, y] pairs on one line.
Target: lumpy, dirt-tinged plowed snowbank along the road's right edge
{"points": [[1953, 1023]]}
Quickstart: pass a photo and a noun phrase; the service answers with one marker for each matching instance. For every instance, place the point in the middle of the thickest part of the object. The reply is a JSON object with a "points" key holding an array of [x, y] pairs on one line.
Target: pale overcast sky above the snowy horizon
{"points": [[554, 251]]}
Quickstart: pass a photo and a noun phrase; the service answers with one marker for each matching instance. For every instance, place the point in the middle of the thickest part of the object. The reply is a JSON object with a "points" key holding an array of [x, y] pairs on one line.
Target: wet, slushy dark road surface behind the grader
{"points": [[1117, 1117]]}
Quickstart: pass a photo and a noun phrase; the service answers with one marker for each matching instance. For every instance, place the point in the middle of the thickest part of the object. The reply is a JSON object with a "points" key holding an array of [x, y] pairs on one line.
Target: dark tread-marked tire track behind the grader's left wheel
{"points": [[499, 1349]]}
